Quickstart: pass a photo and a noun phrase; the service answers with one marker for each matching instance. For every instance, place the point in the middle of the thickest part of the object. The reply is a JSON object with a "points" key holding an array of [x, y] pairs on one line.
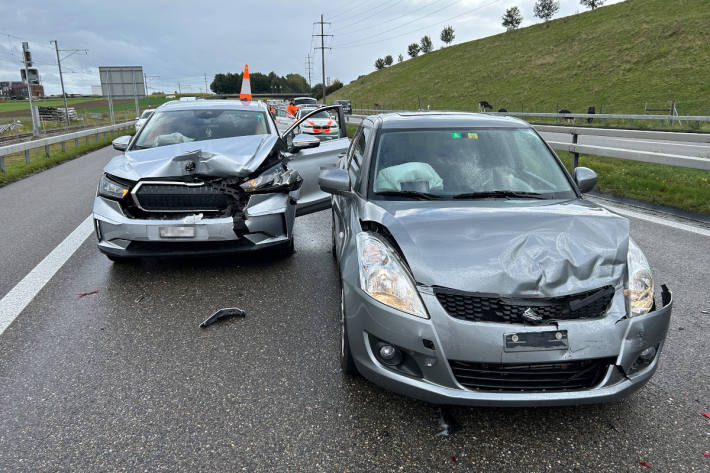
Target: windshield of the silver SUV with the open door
{"points": [[181, 126]]}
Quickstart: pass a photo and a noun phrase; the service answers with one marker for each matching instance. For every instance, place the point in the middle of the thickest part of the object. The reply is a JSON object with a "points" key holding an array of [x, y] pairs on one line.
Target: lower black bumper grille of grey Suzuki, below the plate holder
{"points": [[558, 376]]}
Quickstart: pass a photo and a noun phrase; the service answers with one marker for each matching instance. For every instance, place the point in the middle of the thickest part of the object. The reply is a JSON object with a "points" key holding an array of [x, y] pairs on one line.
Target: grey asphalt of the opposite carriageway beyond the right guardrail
{"points": [[698, 150]]}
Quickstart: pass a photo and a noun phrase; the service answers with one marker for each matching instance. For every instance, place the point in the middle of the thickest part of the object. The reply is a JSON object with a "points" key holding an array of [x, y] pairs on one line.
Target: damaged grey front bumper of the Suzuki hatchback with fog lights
{"points": [[431, 348]]}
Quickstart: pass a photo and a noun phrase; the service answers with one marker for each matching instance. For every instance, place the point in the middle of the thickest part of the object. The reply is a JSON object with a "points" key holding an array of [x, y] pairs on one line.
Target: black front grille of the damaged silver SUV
{"points": [[181, 198]]}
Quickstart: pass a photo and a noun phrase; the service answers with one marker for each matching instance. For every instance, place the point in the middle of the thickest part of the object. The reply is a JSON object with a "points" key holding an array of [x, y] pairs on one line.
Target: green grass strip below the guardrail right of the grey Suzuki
{"points": [[682, 188]]}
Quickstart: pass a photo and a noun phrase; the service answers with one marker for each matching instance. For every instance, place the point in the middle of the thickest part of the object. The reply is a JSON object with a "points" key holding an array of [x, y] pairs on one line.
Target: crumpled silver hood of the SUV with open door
{"points": [[226, 157]]}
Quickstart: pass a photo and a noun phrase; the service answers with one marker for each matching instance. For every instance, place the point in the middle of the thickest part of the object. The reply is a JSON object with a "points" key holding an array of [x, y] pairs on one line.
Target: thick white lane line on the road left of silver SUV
{"points": [[24, 291]]}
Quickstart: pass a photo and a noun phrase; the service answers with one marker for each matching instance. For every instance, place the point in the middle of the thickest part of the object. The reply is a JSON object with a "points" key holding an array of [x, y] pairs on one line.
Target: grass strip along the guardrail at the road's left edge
{"points": [[16, 169]]}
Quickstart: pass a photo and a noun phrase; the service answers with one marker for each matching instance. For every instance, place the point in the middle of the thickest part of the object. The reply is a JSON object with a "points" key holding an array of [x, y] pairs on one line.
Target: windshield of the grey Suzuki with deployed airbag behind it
{"points": [[466, 164]]}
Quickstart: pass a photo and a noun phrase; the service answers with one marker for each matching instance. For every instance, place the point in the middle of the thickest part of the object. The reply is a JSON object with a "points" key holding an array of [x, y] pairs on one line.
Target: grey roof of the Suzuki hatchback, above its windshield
{"points": [[445, 120]]}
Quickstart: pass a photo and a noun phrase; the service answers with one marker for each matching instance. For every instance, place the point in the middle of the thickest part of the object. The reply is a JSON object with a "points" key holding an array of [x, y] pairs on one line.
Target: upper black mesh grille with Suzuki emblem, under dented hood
{"points": [[485, 308]]}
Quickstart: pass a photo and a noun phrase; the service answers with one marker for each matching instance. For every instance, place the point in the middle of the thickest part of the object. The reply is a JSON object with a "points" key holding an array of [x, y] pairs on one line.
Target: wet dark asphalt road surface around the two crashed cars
{"points": [[124, 380]]}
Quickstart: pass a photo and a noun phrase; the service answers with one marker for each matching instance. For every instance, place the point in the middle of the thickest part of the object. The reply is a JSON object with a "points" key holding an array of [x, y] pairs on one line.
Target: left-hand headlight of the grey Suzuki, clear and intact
{"points": [[383, 276]]}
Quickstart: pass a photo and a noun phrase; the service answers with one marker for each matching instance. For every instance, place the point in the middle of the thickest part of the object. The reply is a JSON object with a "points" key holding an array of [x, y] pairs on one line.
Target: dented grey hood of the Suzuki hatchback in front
{"points": [[535, 249]]}
